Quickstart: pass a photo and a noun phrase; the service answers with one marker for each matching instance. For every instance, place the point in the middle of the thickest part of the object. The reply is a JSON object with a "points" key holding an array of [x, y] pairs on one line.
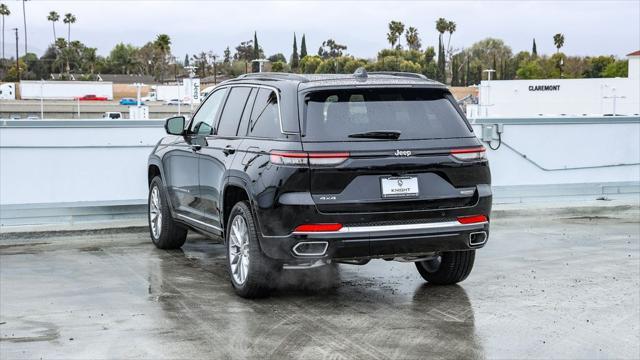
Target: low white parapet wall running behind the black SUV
{"points": [[63, 170]]}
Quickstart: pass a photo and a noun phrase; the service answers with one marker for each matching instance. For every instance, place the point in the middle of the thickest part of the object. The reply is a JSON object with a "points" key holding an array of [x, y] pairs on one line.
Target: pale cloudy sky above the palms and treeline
{"points": [[590, 27]]}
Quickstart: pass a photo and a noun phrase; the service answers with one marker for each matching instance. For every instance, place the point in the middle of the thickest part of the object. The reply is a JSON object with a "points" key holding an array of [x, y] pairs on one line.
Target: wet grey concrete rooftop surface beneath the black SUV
{"points": [[561, 288]]}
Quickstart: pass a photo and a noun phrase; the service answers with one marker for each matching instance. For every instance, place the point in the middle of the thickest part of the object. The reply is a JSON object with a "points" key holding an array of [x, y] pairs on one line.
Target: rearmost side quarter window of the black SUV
{"points": [[265, 119]]}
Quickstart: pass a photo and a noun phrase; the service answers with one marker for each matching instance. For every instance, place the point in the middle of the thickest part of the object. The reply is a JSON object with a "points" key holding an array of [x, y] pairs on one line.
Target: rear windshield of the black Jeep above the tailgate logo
{"points": [[332, 115]]}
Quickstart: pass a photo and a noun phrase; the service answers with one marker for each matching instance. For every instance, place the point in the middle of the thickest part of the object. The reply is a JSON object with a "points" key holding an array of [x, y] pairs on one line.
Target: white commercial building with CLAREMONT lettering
{"points": [[560, 97]]}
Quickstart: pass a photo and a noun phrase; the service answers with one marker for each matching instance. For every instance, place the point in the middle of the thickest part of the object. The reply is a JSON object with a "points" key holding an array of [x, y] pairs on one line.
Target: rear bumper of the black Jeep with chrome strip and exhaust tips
{"points": [[382, 241]]}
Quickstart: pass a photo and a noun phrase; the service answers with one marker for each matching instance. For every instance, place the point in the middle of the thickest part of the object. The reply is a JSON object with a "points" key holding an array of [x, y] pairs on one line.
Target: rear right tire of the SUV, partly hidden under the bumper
{"points": [[449, 268]]}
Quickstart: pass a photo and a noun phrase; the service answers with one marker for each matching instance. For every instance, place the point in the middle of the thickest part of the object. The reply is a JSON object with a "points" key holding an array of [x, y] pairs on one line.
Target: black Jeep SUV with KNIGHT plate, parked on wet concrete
{"points": [[298, 171]]}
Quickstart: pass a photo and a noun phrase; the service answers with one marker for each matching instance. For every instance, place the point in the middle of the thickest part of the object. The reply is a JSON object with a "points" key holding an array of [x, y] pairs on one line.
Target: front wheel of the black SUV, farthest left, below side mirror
{"points": [[165, 233]]}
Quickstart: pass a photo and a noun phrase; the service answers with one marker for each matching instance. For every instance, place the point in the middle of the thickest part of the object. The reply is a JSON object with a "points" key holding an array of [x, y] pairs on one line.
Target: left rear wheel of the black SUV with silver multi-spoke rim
{"points": [[250, 271]]}
